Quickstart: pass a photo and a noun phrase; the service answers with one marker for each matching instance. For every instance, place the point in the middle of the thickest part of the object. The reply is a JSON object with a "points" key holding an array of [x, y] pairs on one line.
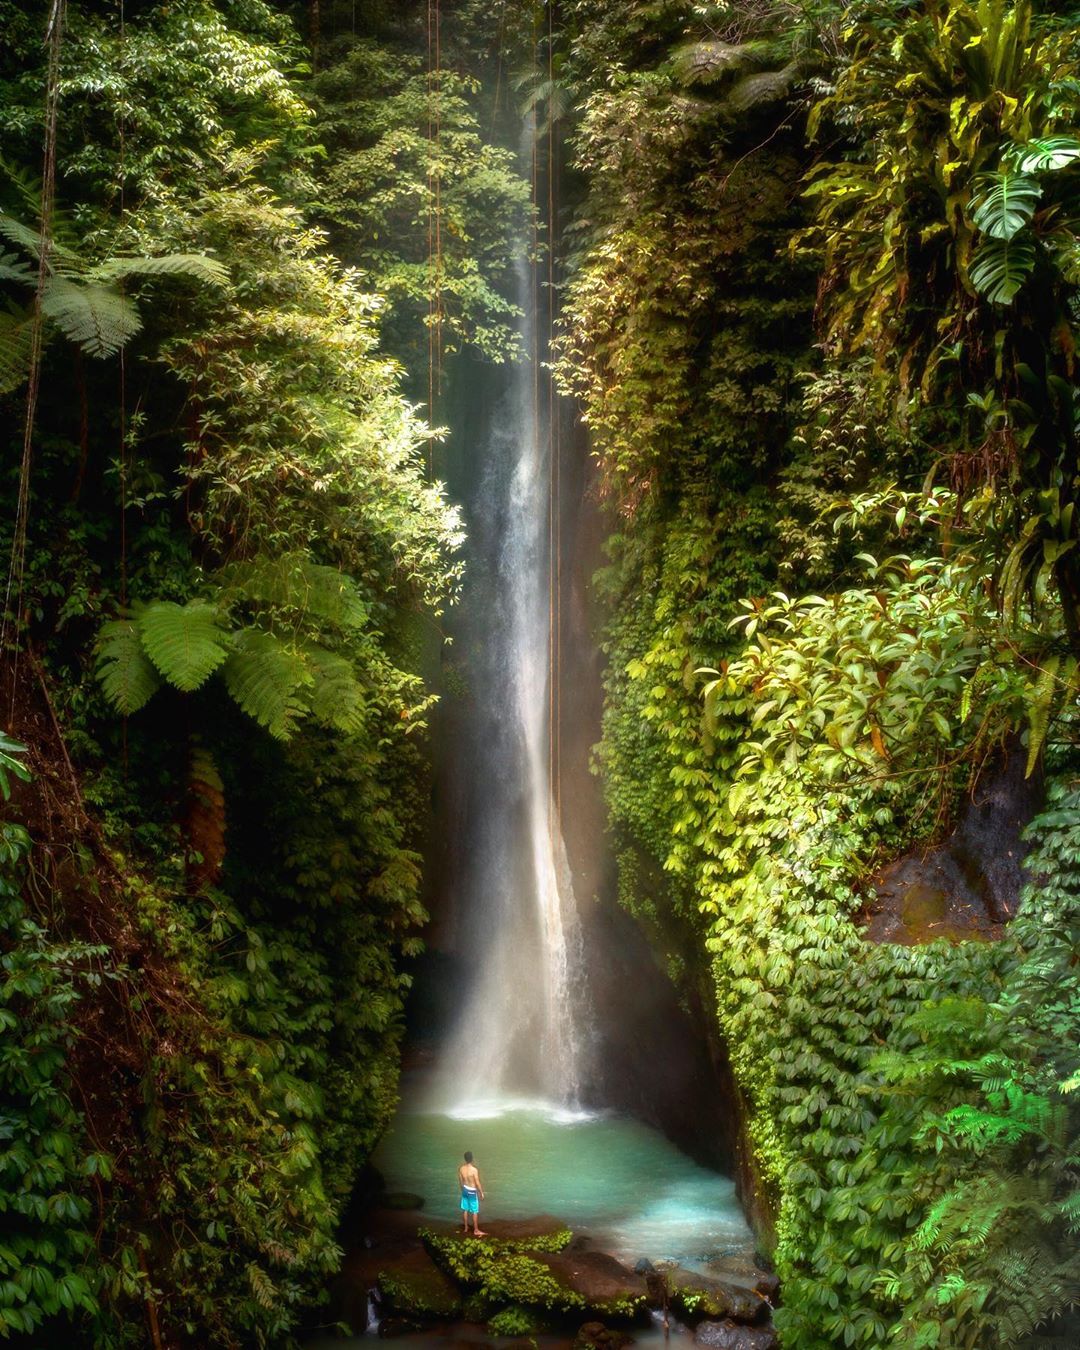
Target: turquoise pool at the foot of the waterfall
{"points": [[616, 1179]]}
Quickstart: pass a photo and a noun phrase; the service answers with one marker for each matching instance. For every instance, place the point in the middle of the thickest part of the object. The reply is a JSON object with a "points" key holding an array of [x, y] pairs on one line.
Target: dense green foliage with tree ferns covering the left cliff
{"points": [[229, 566]]}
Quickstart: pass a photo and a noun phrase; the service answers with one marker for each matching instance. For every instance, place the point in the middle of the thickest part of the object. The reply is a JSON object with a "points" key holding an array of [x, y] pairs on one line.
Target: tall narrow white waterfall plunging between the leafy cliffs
{"points": [[523, 1028]]}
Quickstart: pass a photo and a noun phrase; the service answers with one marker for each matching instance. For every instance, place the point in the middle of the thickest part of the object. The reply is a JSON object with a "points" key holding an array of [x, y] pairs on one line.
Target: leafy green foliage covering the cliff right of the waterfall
{"points": [[767, 751]]}
